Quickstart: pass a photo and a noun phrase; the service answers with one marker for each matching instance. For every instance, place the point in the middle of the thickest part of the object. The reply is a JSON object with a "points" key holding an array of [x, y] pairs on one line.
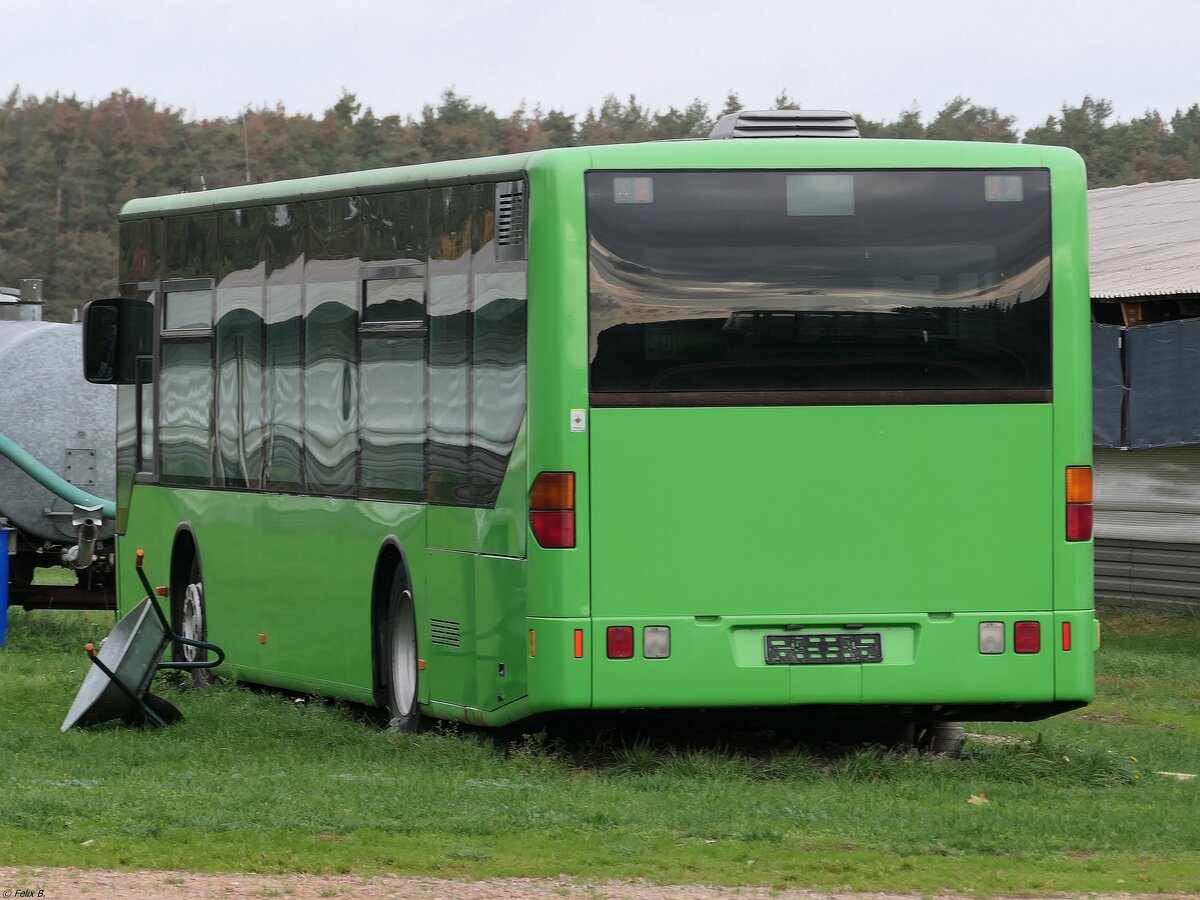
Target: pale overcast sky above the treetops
{"points": [[214, 59]]}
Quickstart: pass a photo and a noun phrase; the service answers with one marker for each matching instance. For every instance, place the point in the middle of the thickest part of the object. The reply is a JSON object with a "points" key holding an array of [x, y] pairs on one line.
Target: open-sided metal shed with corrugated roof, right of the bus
{"points": [[1145, 287]]}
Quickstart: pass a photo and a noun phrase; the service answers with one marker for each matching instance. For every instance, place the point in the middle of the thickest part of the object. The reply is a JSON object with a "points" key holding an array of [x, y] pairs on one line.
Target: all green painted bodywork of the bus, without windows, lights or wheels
{"points": [[724, 524]]}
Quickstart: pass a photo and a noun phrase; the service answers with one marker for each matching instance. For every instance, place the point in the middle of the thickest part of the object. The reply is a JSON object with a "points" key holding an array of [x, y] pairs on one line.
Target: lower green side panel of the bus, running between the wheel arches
{"points": [[315, 620]]}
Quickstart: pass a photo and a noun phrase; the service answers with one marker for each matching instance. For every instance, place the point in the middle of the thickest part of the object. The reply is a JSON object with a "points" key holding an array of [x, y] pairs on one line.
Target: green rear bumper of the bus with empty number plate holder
{"points": [[928, 661]]}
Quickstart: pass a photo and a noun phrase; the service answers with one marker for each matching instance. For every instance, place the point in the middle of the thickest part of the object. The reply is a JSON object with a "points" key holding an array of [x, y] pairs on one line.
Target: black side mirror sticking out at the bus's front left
{"points": [[118, 337]]}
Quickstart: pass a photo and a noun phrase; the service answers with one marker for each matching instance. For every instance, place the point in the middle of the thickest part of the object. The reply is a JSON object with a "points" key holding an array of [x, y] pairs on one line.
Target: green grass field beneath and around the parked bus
{"points": [[266, 782]]}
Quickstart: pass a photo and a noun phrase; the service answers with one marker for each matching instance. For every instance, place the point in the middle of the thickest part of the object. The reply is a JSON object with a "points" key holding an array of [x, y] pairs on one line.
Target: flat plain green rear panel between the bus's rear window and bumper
{"points": [[838, 511]]}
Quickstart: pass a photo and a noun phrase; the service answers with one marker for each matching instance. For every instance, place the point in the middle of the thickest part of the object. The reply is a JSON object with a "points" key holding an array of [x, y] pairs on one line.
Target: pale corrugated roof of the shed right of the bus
{"points": [[1145, 239]]}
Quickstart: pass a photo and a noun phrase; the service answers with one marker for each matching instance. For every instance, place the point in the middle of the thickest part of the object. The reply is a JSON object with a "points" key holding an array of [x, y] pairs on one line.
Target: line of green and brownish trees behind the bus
{"points": [[68, 166]]}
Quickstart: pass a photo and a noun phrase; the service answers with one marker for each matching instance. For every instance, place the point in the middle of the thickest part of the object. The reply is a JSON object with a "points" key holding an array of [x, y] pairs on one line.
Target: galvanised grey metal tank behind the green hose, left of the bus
{"points": [[57, 417]]}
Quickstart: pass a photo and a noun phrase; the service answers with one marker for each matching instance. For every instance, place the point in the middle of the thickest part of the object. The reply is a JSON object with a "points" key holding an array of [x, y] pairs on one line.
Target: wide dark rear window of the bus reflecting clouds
{"points": [[799, 287]]}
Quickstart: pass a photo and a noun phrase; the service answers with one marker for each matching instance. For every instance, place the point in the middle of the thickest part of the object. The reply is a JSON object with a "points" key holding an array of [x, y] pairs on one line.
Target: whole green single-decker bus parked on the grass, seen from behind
{"points": [[766, 423]]}
